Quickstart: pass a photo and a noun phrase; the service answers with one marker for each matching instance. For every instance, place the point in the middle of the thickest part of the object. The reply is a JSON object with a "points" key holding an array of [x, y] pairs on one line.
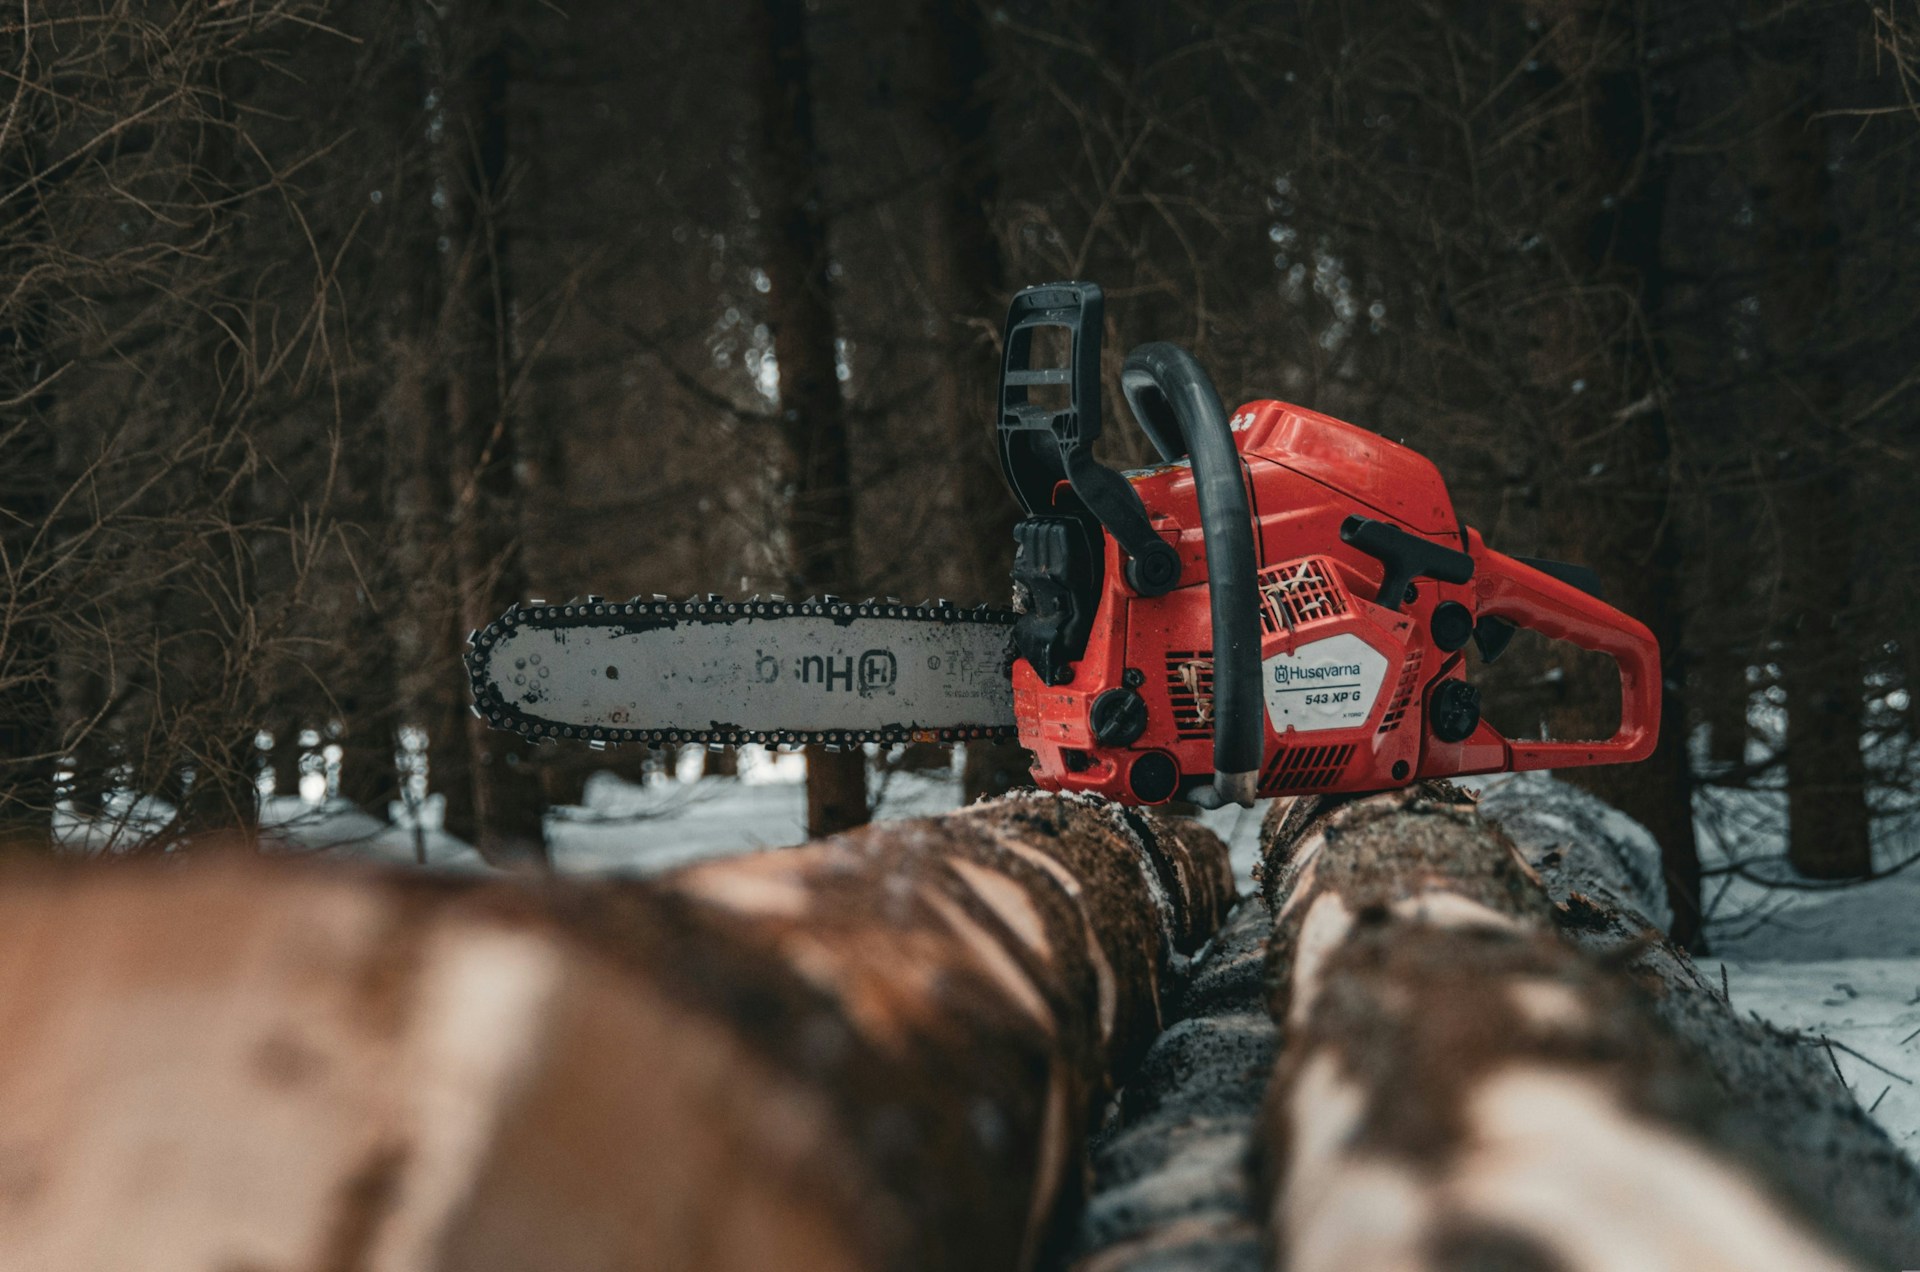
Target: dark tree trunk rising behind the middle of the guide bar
{"points": [[813, 420]]}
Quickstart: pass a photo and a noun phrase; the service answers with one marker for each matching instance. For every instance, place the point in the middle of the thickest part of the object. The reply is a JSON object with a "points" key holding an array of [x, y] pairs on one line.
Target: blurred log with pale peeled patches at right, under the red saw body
{"points": [[1460, 1087]]}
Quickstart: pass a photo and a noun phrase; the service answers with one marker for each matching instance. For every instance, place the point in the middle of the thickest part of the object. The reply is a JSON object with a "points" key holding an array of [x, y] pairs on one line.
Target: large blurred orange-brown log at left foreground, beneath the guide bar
{"points": [[869, 1052]]}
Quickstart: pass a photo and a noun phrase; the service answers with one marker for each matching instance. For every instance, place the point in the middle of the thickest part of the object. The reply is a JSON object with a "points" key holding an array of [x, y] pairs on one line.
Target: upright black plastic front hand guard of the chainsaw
{"points": [[1051, 441]]}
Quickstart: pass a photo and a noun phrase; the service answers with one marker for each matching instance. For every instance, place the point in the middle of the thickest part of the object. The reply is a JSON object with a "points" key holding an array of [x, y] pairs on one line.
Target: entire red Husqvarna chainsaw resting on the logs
{"points": [[1282, 606]]}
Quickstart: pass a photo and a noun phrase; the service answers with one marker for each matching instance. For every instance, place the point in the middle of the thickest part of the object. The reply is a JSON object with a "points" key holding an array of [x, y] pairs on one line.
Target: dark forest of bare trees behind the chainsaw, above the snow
{"points": [[333, 328]]}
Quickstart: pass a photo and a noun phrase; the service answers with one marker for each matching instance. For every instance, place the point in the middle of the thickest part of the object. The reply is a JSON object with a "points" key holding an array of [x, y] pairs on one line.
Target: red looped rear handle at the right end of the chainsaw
{"points": [[1531, 599]]}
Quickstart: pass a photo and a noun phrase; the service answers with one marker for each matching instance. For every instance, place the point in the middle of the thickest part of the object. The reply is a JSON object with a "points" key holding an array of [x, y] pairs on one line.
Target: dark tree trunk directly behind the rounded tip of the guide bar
{"points": [[477, 364]]}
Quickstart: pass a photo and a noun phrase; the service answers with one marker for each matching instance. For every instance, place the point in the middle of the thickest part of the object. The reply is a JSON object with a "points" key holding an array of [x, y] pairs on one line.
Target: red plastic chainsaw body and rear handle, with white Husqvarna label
{"points": [[1347, 681]]}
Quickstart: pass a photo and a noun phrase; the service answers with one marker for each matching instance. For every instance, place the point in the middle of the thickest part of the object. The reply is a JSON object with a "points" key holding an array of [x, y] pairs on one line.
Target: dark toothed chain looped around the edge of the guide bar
{"points": [[709, 608]]}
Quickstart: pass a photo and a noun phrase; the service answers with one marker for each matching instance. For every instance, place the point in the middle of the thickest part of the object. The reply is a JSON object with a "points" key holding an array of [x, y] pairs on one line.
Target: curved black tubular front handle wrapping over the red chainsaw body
{"points": [[1178, 408]]}
